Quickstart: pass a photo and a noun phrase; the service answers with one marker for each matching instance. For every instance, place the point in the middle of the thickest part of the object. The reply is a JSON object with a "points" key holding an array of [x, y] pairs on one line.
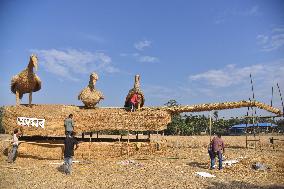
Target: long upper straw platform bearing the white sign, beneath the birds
{"points": [[85, 119]]}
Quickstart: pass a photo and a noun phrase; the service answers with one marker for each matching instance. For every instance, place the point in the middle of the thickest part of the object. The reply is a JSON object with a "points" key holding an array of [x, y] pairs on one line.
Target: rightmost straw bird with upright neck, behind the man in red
{"points": [[135, 89]]}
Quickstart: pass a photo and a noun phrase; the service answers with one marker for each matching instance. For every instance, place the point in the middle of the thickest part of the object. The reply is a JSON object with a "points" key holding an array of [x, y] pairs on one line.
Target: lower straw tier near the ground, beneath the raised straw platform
{"points": [[86, 150]]}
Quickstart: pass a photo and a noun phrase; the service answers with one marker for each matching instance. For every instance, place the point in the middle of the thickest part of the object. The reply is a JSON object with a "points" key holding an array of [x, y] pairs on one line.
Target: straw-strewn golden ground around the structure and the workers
{"points": [[173, 166]]}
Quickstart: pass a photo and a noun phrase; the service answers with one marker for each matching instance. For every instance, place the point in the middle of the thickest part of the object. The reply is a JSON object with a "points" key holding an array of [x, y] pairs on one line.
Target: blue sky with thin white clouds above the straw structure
{"points": [[191, 51]]}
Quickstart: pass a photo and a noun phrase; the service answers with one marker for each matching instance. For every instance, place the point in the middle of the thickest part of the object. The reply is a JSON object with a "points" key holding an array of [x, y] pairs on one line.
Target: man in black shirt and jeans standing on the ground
{"points": [[69, 144]]}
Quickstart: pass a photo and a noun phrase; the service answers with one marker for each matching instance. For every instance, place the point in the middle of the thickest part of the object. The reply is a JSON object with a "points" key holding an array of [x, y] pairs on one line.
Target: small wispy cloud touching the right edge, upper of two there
{"points": [[272, 41]]}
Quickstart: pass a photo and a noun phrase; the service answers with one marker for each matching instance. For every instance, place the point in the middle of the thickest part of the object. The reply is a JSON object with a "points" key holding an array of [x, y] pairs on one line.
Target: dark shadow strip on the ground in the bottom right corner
{"points": [[242, 185]]}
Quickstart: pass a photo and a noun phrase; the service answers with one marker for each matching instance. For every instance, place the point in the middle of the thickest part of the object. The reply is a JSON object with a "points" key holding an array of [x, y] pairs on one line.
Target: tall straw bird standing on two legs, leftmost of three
{"points": [[26, 81]]}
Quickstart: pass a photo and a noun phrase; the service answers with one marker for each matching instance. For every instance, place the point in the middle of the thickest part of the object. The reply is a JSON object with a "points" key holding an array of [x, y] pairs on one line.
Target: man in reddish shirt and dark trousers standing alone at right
{"points": [[216, 148]]}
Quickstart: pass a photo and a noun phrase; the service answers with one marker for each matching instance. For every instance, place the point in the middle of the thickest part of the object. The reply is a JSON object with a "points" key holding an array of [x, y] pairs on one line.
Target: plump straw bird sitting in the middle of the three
{"points": [[89, 95]]}
